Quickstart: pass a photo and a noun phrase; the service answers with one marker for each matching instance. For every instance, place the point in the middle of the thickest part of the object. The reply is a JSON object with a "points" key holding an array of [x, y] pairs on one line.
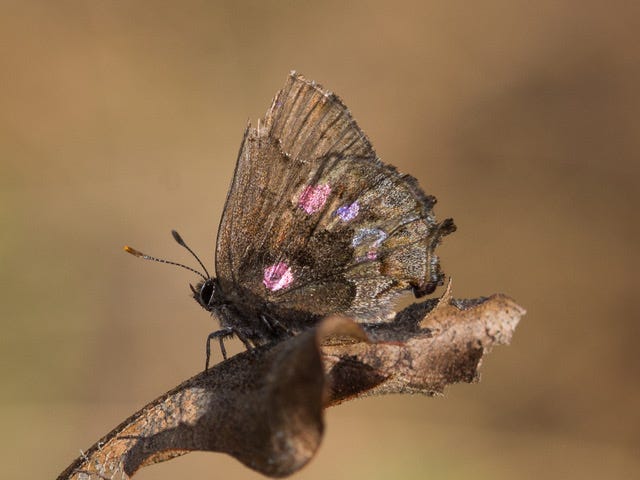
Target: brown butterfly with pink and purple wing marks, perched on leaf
{"points": [[314, 224]]}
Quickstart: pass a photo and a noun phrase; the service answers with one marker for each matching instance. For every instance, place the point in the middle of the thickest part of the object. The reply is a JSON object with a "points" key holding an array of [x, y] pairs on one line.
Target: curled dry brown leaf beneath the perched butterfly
{"points": [[265, 407]]}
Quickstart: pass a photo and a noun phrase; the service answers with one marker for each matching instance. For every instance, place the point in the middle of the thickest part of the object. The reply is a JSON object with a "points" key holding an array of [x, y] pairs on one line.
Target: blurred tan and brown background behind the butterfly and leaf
{"points": [[122, 120]]}
